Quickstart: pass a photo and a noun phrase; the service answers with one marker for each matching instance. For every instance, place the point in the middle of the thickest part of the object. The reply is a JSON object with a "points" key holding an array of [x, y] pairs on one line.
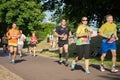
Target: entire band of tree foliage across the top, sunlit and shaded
{"points": [[29, 14]]}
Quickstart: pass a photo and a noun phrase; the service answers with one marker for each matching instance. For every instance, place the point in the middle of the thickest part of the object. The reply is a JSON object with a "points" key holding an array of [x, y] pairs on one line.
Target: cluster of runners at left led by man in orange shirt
{"points": [[13, 41]]}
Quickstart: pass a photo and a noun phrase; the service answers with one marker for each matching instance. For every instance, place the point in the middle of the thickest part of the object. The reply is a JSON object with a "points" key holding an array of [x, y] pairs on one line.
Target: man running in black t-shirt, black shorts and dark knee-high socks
{"points": [[62, 32]]}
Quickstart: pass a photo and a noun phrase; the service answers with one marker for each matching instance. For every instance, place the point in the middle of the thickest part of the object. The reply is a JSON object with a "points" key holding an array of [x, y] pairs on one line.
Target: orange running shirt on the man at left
{"points": [[13, 35]]}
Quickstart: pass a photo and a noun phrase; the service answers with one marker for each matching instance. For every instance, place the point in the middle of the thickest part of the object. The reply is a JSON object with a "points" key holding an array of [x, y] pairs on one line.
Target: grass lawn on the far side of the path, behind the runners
{"points": [[95, 42]]}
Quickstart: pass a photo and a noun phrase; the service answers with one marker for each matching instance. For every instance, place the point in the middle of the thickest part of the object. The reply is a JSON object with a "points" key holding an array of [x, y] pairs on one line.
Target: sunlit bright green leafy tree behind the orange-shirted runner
{"points": [[28, 14]]}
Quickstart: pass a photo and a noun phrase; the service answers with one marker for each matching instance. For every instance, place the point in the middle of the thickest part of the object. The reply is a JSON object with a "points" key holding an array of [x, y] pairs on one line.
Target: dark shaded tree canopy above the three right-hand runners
{"points": [[73, 10]]}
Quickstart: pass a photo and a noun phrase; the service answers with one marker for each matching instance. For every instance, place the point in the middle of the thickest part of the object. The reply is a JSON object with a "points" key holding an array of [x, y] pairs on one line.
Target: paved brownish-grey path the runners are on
{"points": [[43, 68]]}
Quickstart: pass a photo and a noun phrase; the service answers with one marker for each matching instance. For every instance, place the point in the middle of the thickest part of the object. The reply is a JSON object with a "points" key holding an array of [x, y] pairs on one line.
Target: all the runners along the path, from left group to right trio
{"points": [[15, 39]]}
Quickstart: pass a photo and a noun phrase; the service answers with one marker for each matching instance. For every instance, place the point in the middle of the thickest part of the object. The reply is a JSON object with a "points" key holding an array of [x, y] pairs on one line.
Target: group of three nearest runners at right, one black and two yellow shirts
{"points": [[108, 31]]}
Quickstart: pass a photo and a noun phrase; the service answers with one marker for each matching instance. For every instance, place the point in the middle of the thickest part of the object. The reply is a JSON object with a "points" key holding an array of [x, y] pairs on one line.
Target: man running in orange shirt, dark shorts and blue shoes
{"points": [[13, 35]]}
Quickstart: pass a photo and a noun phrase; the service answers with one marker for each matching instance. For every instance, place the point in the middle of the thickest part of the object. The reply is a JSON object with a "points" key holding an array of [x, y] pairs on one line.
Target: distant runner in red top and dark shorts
{"points": [[33, 42]]}
